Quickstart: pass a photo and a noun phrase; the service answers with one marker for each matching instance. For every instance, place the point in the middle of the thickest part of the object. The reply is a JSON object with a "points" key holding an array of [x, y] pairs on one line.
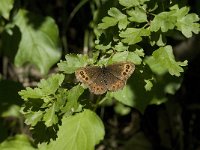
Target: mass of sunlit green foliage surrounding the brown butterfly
{"points": [[133, 30]]}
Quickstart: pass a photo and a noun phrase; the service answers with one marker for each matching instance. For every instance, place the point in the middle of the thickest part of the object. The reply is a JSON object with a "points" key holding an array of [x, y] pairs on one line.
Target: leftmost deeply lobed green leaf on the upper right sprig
{"points": [[116, 17]]}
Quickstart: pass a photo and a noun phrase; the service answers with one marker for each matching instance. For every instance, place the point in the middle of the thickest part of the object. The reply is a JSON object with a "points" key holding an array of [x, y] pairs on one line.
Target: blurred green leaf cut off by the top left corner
{"points": [[5, 8]]}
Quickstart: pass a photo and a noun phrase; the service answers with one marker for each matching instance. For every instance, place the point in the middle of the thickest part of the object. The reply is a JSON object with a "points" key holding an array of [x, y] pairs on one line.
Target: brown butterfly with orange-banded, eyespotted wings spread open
{"points": [[107, 78]]}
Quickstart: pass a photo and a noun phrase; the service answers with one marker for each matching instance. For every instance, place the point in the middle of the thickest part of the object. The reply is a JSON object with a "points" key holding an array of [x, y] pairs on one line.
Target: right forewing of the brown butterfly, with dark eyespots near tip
{"points": [[122, 70]]}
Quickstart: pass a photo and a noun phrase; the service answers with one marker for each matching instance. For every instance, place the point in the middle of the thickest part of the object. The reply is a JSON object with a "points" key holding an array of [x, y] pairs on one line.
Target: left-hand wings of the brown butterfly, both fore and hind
{"points": [[92, 77]]}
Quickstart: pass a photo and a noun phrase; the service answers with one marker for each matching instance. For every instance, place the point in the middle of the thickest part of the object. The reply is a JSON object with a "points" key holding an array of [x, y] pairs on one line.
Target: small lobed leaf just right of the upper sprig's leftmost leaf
{"points": [[137, 15]]}
